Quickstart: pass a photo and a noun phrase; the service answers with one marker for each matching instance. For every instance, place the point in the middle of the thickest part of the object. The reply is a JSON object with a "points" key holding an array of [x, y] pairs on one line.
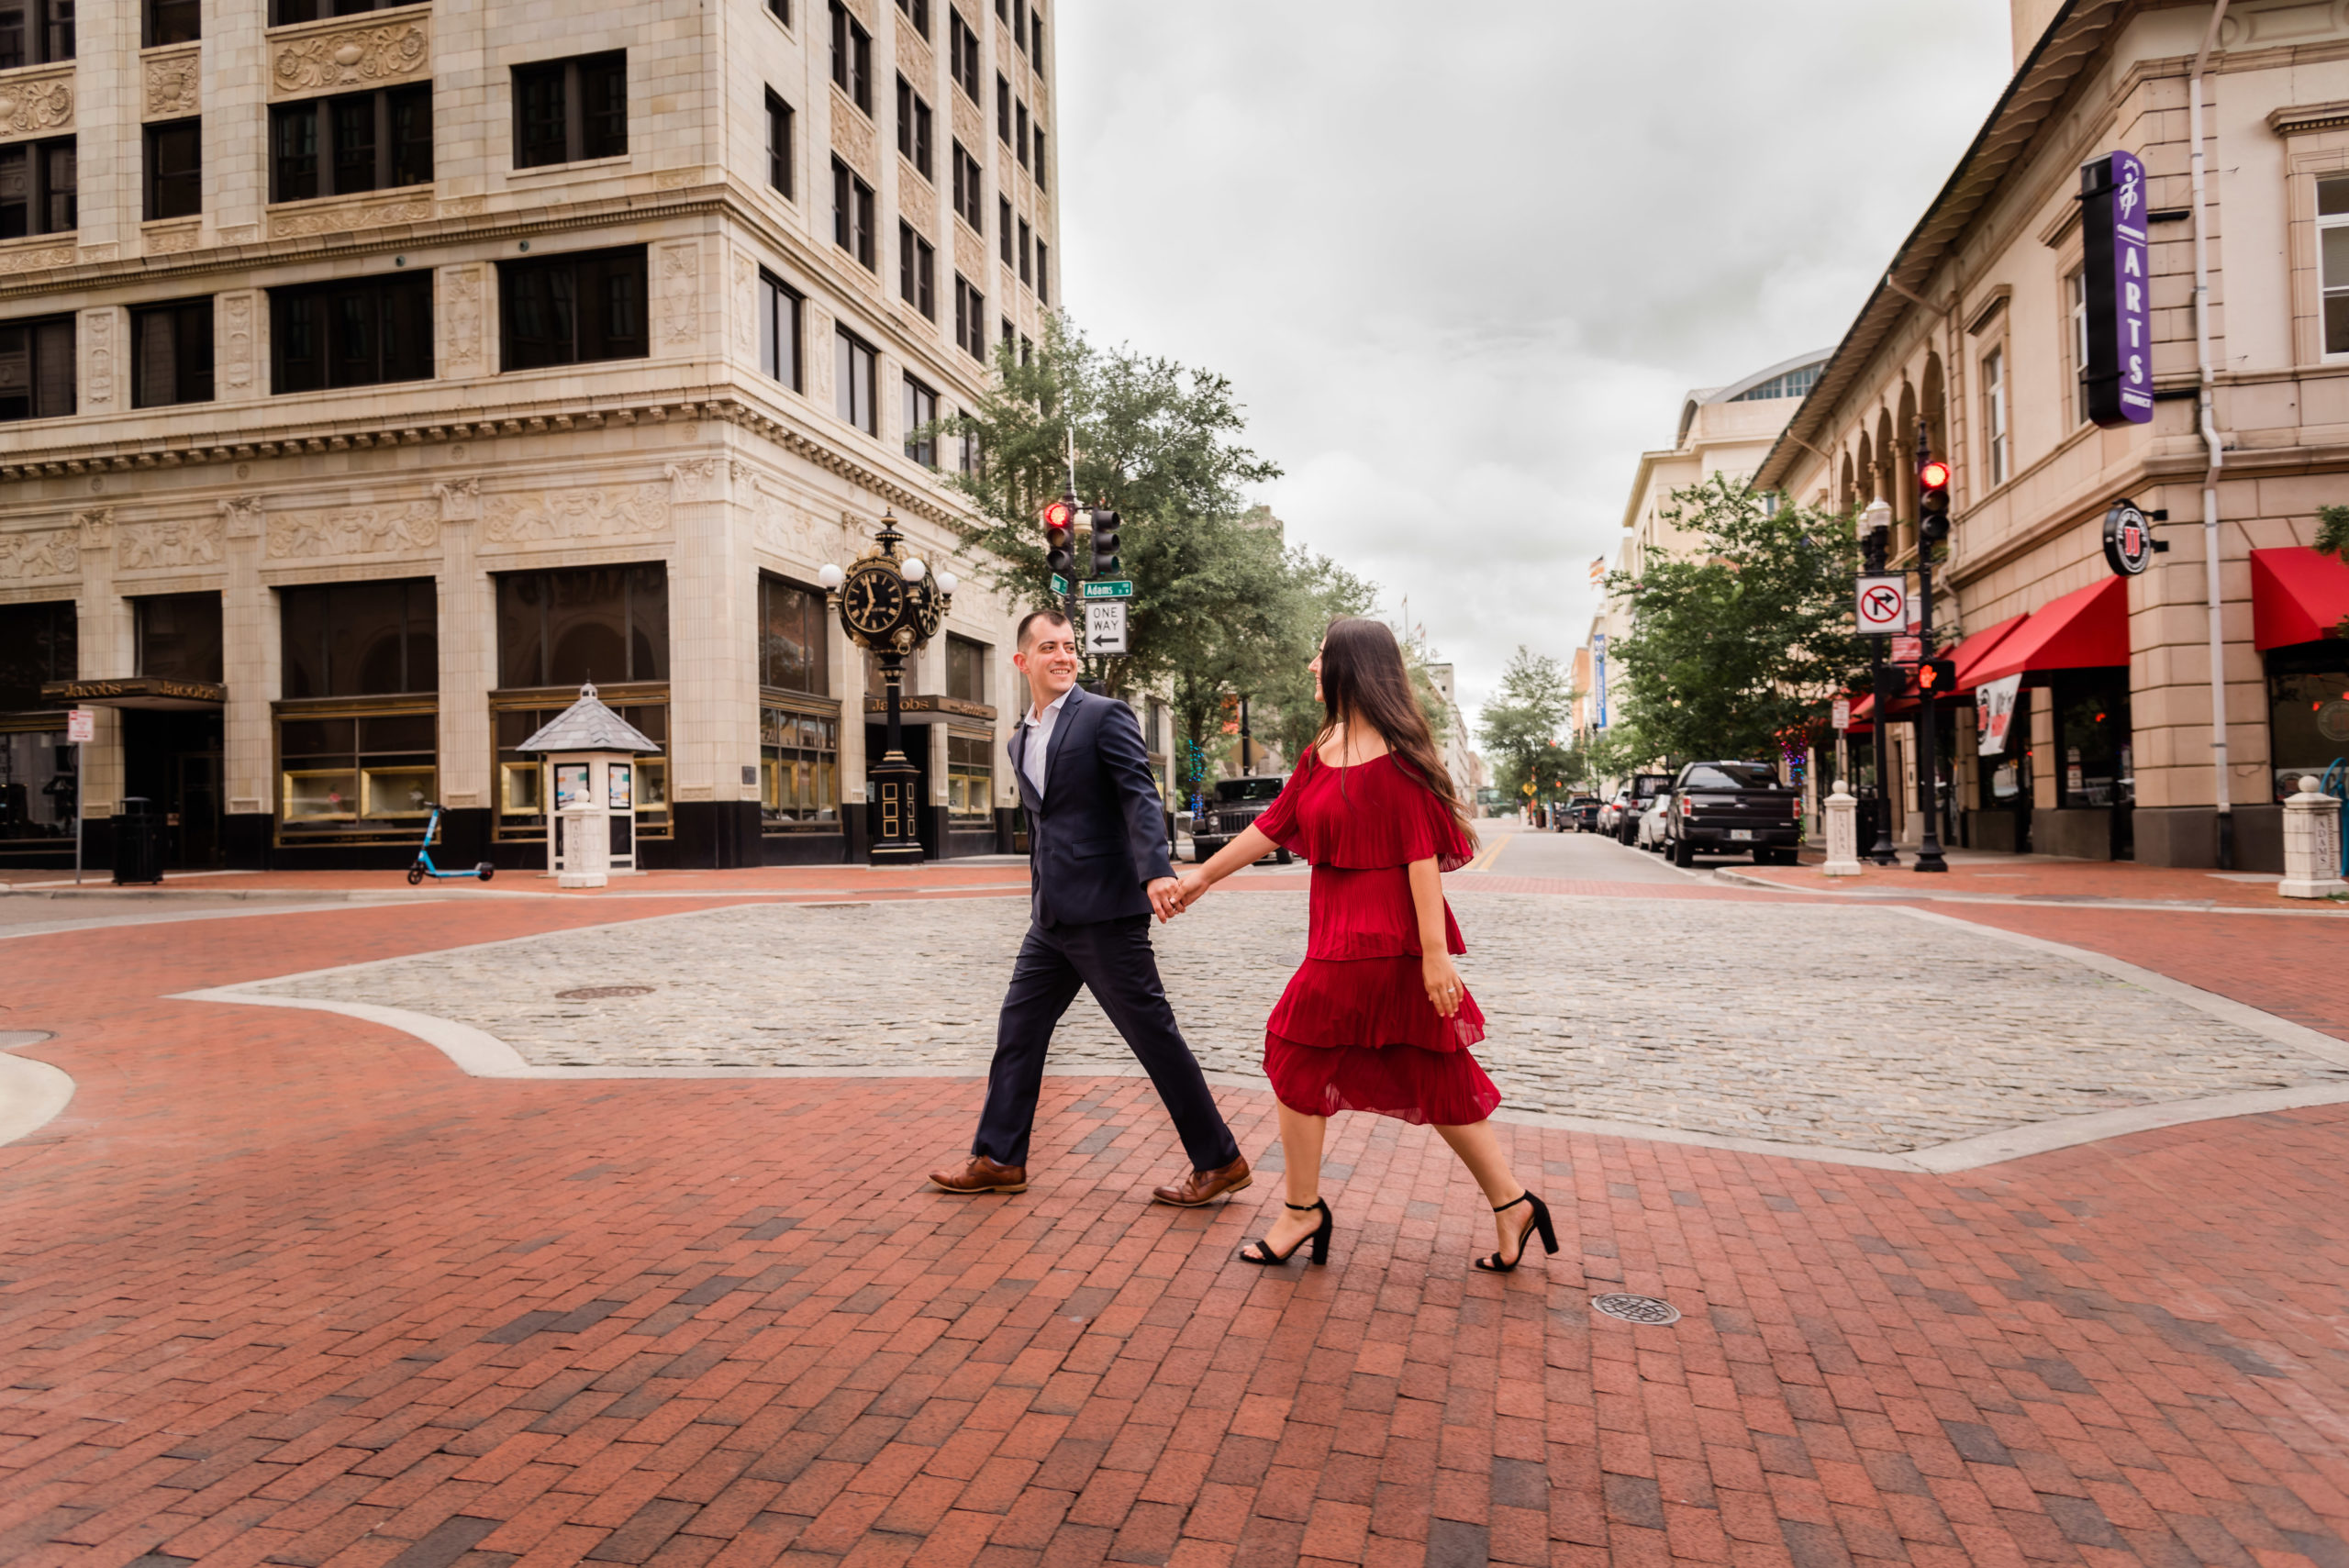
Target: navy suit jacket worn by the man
{"points": [[1098, 832]]}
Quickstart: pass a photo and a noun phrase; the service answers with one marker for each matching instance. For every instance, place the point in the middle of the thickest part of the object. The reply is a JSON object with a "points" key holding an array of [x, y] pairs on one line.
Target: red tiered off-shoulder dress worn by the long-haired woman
{"points": [[1357, 1029]]}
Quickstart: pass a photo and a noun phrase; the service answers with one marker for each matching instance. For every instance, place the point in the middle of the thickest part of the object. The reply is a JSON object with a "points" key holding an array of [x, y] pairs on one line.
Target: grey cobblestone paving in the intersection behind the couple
{"points": [[1721, 1018]]}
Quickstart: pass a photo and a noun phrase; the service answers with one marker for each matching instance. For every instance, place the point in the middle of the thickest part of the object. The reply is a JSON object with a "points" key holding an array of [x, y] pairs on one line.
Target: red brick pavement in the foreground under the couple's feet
{"points": [[288, 1290]]}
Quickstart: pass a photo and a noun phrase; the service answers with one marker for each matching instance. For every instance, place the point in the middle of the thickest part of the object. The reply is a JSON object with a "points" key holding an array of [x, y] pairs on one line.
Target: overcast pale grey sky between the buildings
{"points": [[1465, 259]]}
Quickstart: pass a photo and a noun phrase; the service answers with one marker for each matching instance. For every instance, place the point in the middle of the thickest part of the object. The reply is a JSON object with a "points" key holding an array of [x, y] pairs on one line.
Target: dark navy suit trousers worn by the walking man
{"points": [[1117, 964]]}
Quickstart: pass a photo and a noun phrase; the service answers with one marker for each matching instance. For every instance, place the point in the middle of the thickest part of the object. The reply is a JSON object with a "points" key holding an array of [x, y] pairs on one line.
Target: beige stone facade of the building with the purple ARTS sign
{"points": [[1974, 332]]}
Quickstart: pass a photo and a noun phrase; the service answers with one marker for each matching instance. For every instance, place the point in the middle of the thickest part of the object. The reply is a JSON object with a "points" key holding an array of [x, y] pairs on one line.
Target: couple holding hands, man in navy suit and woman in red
{"points": [[1375, 1020]]}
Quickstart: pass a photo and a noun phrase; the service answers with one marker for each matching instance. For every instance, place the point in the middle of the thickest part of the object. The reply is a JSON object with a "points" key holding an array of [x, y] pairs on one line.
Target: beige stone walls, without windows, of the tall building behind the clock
{"points": [[682, 454]]}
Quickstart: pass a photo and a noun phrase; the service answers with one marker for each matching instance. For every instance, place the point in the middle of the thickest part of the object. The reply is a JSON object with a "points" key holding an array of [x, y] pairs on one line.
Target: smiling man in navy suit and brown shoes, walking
{"points": [[1098, 867]]}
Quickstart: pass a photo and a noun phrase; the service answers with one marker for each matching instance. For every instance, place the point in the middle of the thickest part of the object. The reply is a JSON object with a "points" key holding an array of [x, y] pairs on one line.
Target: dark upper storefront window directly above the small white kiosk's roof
{"points": [[593, 623]]}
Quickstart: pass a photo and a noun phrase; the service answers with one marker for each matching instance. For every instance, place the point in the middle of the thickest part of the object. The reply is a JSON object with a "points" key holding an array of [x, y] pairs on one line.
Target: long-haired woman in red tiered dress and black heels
{"points": [[1378, 1018]]}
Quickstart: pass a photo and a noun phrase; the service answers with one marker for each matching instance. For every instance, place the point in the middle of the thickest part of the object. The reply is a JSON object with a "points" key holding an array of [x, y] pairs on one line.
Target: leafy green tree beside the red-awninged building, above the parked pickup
{"points": [[1746, 637]]}
